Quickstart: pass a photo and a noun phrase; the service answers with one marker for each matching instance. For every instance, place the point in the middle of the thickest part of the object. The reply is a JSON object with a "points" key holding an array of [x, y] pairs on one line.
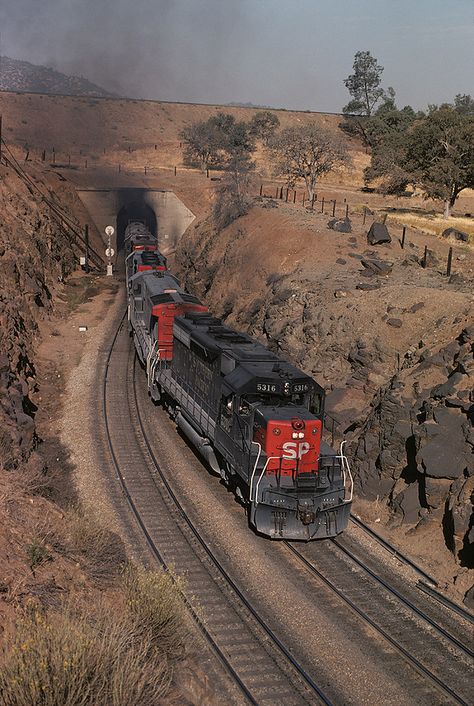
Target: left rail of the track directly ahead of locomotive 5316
{"points": [[414, 661]]}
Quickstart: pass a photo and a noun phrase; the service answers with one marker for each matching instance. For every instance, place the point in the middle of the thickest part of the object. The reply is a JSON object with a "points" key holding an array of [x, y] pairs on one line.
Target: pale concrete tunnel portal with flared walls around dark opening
{"points": [[171, 216]]}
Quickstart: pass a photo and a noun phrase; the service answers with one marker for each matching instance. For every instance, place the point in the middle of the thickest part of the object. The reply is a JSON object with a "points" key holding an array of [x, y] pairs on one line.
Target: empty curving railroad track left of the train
{"points": [[258, 663]]}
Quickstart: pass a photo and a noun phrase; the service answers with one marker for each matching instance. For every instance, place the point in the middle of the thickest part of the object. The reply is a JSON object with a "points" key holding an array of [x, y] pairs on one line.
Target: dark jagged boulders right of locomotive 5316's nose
{"points": [[416, 447]]}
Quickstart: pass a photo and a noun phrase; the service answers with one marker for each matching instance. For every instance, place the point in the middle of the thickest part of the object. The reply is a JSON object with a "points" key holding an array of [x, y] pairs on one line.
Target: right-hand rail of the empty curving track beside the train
{"points": [[228, 579]]}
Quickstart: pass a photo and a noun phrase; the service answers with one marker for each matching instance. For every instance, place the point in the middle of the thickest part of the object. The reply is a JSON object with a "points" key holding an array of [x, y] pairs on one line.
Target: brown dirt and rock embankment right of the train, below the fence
{"points": [[391, 341]]}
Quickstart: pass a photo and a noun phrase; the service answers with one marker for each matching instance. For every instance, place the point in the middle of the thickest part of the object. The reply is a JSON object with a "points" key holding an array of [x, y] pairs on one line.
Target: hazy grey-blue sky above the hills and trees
{"points": [[283, 53]]}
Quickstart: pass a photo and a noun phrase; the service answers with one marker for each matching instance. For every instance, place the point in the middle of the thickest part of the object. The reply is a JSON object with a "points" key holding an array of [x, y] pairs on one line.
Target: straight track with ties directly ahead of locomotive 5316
{"points": [[435, 653]]}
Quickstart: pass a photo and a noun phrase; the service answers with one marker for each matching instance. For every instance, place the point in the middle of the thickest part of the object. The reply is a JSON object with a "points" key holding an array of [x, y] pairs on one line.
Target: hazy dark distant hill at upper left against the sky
{"points": [[16, 75]]}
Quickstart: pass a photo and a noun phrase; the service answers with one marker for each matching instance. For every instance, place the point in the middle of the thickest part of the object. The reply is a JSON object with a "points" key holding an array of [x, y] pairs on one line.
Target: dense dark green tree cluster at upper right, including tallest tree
{"points": [[432, 150]]}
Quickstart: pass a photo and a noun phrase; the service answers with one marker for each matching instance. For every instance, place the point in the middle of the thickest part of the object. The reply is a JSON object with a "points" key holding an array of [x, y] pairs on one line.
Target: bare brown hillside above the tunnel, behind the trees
{"points": [[108, 131]]}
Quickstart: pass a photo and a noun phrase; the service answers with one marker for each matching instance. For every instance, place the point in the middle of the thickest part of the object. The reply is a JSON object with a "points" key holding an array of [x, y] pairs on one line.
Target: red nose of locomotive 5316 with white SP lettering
{"points": [[292, 446]]}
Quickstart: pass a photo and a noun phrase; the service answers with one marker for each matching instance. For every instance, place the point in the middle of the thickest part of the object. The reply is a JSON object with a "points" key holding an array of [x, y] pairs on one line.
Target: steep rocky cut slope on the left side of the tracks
{"points": [[34, 256]]}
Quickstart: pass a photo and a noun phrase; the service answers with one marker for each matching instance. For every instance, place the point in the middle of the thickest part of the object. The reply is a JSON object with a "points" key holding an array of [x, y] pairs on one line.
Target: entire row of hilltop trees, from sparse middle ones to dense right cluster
{"points": [[432, 150]]}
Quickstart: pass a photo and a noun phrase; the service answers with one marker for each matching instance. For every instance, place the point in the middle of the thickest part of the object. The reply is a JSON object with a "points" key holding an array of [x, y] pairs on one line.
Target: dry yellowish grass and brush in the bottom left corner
{"points": [[117, 654]]}
